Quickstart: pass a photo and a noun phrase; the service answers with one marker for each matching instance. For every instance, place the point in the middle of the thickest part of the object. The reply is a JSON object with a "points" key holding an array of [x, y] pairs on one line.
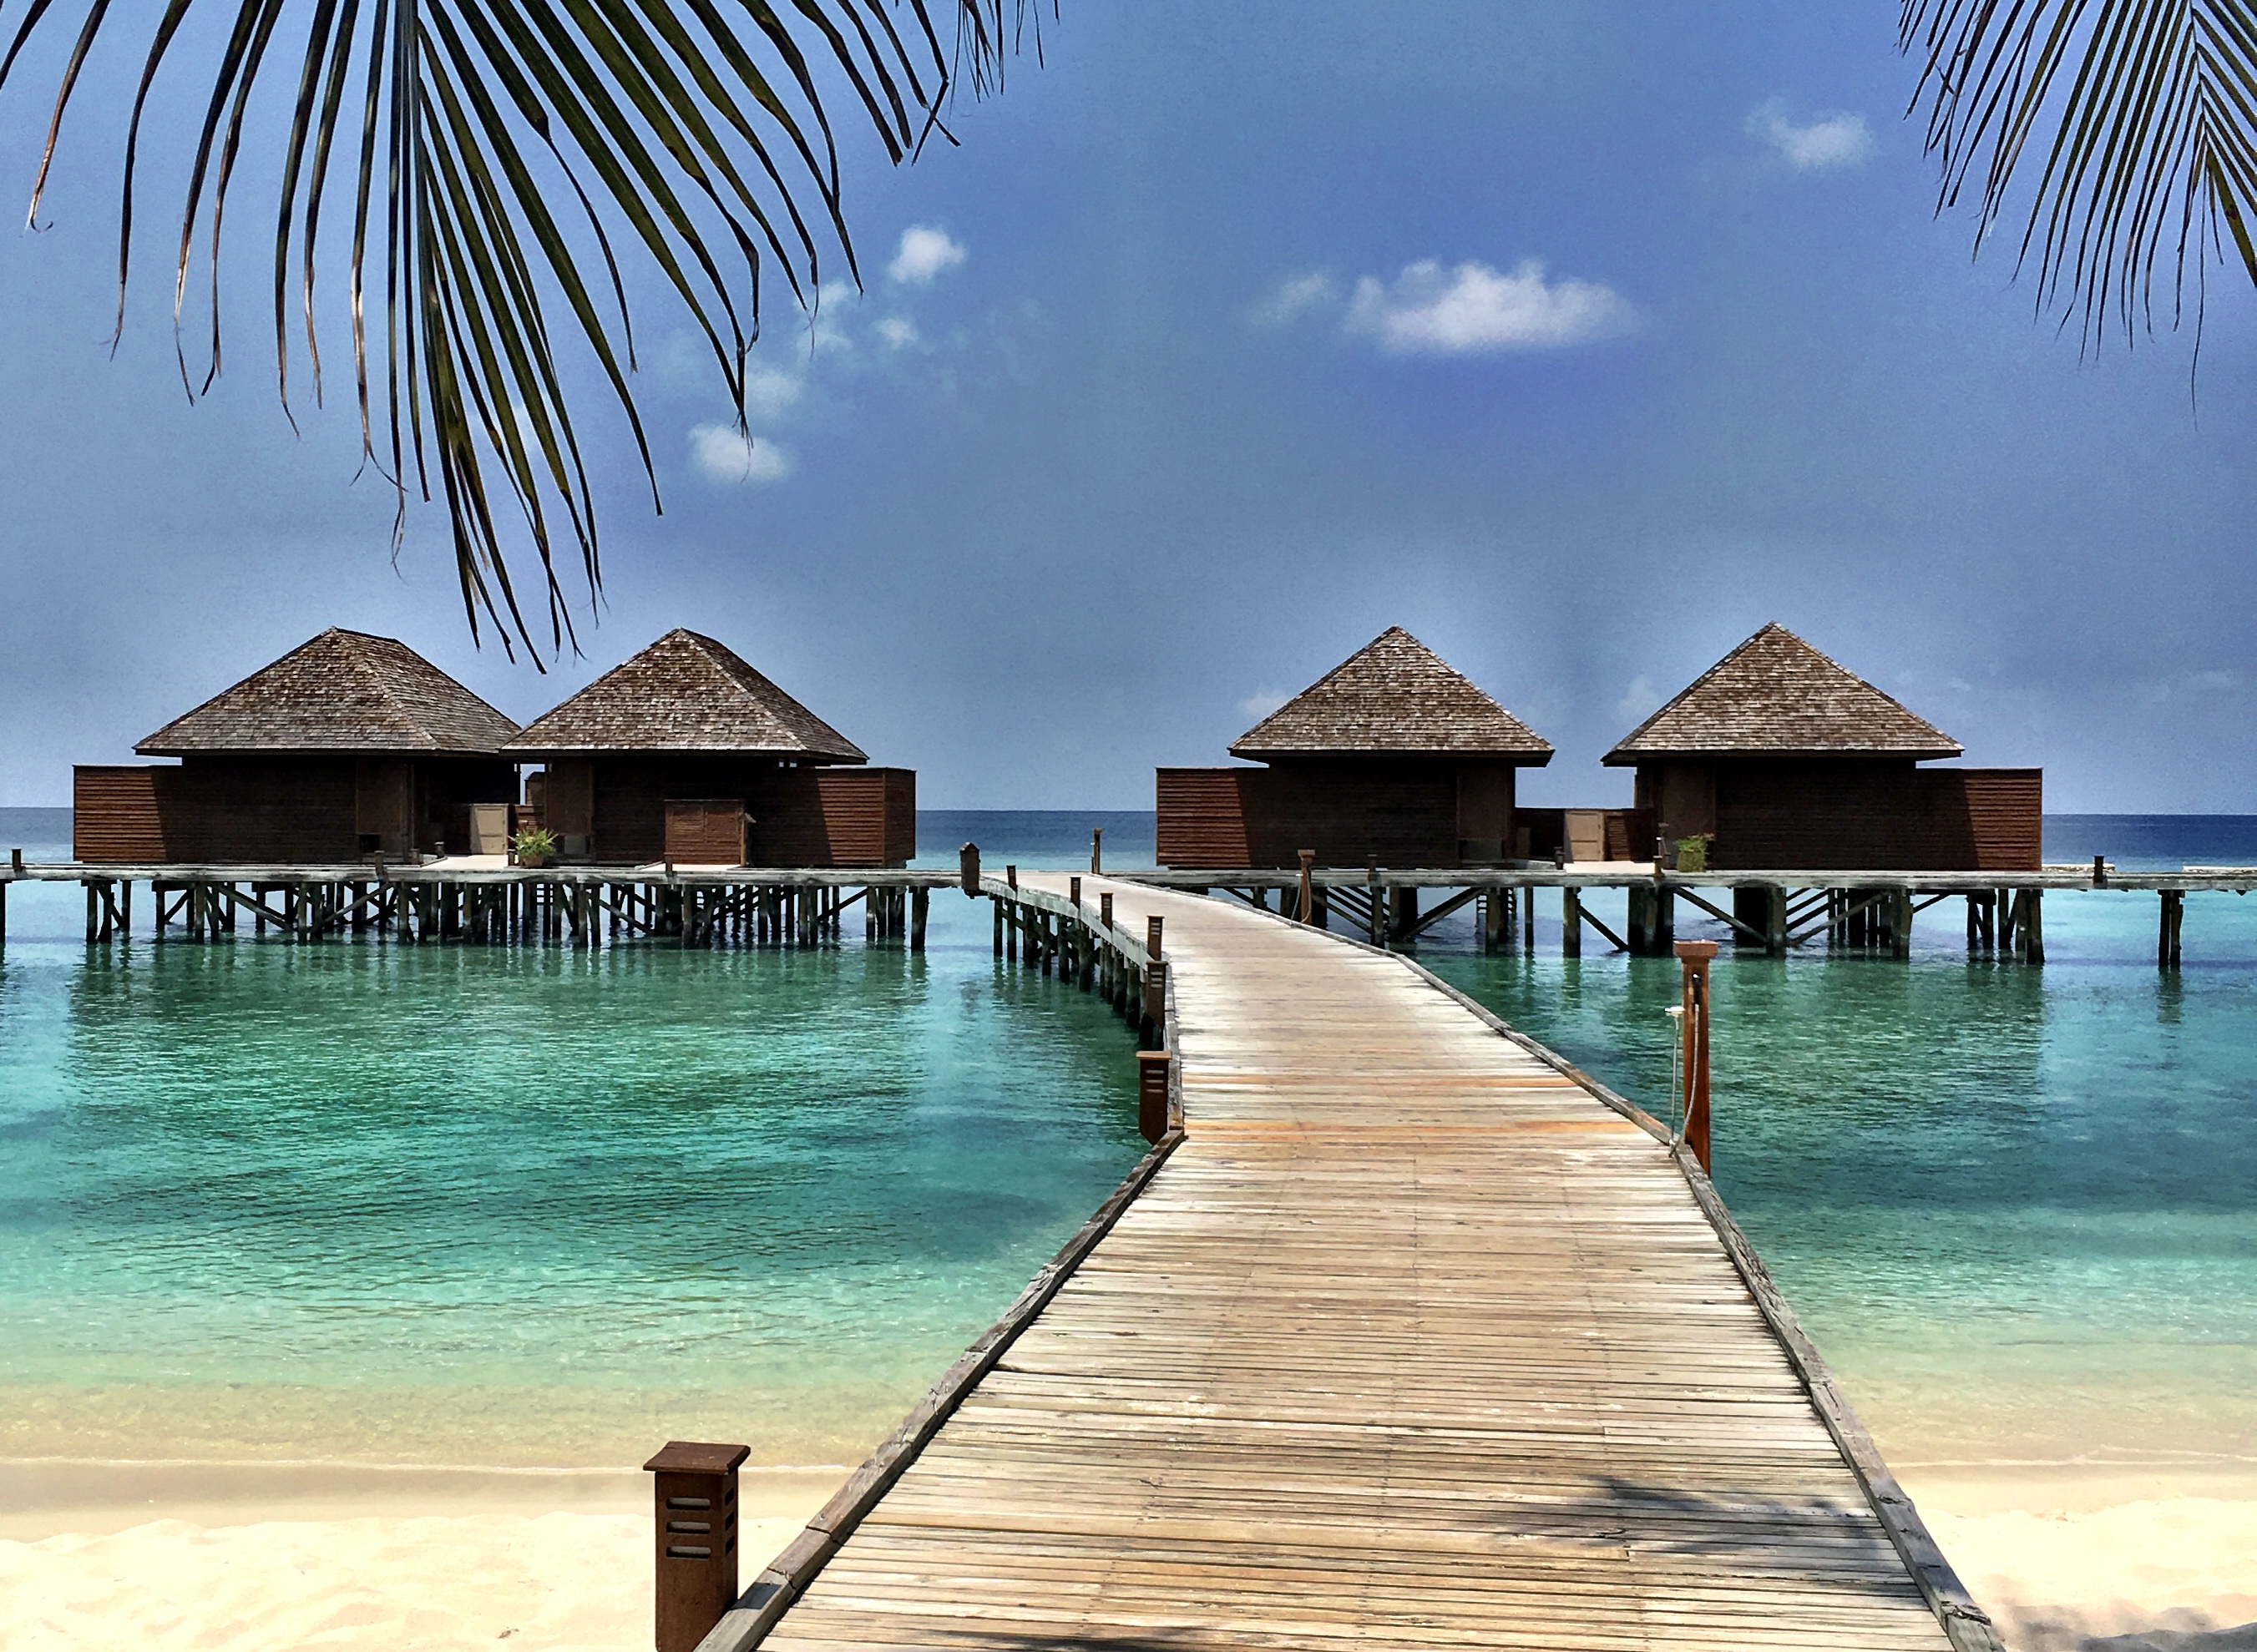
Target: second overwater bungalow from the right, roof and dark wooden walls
{"points": [[1389, 759]]}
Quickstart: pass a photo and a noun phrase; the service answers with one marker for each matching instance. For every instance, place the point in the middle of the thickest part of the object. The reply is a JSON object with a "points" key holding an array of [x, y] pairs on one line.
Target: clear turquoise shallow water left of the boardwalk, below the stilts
{"points": [[495, 1206]]}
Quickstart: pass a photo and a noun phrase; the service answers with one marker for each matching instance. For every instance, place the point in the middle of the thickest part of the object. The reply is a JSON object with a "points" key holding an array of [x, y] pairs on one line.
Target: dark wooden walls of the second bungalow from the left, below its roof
{"points": [[728, 809]]}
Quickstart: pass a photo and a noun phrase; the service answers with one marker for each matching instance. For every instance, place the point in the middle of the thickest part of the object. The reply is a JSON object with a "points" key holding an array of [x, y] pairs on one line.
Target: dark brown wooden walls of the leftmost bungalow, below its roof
{"points": [[281, 809]]}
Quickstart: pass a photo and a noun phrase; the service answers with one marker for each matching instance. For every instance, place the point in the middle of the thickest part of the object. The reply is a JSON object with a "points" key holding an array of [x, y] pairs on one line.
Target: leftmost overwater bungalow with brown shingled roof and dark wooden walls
{"points": [[351, 746]]}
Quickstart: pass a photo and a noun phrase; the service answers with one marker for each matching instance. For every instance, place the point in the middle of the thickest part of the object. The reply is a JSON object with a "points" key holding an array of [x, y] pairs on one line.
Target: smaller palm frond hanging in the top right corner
{"points": [[2145, 114]]}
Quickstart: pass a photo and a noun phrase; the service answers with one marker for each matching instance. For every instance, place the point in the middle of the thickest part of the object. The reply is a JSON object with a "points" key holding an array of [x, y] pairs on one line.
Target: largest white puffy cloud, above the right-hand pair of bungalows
{"points": [[1448, 313]]}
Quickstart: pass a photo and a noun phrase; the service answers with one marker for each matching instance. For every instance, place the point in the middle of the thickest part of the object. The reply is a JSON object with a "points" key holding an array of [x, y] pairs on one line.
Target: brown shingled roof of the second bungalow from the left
{"points": [[685, 694]]}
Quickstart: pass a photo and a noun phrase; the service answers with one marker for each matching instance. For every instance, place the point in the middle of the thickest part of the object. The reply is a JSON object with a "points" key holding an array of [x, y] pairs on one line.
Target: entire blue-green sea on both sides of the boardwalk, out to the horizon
{"points": [[462, 1206]]}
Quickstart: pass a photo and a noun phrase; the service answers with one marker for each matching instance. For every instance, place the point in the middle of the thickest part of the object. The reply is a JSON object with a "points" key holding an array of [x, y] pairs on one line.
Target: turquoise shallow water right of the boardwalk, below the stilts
{"points": [[2017, 1209]]}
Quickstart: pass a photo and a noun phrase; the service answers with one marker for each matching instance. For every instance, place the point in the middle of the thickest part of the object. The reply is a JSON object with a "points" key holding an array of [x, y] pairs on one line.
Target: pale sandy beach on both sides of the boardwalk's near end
{"points": [[295, 1556]]}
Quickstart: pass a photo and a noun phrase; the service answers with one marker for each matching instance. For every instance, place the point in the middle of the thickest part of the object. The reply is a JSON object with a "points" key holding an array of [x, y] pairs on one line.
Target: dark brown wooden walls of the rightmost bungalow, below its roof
{"points": [[1847, 814]]}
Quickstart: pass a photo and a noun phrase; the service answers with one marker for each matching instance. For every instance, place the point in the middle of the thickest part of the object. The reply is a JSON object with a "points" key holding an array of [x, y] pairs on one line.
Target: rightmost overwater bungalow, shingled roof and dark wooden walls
{"points": [[1780, 757]]}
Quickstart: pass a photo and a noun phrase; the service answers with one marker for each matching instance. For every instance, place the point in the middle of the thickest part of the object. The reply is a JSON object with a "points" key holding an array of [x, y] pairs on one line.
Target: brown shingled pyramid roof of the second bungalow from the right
{"points": [[1394, 696]]}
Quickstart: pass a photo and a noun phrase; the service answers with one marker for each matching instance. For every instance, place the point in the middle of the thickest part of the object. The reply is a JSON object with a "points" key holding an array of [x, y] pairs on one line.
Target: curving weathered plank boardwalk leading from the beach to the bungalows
{"points": [[1409, 1344]]}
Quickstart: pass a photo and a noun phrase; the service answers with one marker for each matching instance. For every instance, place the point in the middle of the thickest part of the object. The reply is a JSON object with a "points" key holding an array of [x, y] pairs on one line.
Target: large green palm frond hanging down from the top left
{"points": [[690, 130]]}
